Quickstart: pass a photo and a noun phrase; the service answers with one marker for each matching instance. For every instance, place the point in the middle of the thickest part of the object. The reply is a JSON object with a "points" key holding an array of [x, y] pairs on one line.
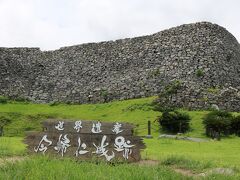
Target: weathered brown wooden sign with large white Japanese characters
{"points": [[86, 140]]}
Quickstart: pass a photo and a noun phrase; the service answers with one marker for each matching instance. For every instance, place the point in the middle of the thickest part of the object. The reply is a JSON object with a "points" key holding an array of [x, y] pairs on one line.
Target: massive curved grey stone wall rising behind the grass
{"points": [[202, 55]]}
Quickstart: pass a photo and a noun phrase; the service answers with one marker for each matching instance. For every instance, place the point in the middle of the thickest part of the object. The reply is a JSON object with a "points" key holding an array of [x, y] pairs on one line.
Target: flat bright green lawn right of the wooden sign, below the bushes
{"points": [[218, 153]]}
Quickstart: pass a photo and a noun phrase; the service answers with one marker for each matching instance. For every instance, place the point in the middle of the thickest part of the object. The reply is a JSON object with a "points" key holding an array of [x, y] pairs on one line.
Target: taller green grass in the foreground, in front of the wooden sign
{"points": [[45, 168]]}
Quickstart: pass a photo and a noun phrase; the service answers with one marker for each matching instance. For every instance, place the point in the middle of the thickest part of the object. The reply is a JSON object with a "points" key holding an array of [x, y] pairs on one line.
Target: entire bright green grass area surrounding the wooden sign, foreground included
{"points": [[170, 153]]}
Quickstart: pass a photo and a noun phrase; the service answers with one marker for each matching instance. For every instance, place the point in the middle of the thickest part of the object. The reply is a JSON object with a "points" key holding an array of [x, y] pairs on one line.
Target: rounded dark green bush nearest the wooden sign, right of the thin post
{"points": [[174, 121]]}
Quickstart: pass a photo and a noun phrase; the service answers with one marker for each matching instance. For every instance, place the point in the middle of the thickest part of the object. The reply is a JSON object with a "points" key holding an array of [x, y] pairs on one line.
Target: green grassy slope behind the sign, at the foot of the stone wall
{"points": [[28, 116]]}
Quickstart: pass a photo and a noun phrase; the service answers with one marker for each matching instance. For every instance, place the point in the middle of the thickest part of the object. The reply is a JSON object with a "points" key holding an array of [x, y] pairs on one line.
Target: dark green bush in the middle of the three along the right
{"points": [[217, 123]]}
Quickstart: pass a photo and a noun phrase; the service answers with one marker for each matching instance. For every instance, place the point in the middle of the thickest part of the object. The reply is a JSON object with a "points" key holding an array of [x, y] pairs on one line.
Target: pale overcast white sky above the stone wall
{"points": [[51, 24]]}
